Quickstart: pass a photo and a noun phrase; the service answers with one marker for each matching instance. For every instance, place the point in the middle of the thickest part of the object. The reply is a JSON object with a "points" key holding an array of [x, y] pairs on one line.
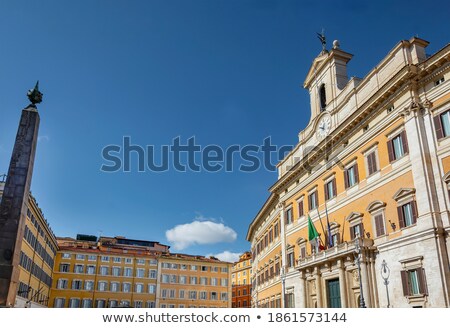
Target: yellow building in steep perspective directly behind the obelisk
{"points": [[37, 254]]}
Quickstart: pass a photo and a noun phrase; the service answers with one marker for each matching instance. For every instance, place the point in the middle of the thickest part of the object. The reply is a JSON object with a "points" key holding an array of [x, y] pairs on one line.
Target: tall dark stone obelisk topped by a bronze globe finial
{"points": [[13, 207]]}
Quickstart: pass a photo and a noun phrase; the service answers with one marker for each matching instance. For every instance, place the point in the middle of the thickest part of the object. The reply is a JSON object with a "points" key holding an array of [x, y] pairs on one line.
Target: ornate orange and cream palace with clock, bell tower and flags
{"points": [[371, 170]]}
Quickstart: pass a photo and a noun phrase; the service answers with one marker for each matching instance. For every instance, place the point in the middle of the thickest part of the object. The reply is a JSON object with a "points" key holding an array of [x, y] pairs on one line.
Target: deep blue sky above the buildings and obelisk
{"points": [[225, 71]]}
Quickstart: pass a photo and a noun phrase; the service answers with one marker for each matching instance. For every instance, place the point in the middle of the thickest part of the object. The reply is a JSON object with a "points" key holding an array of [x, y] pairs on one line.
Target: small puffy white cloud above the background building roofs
{"points": [[201, 233]]}
